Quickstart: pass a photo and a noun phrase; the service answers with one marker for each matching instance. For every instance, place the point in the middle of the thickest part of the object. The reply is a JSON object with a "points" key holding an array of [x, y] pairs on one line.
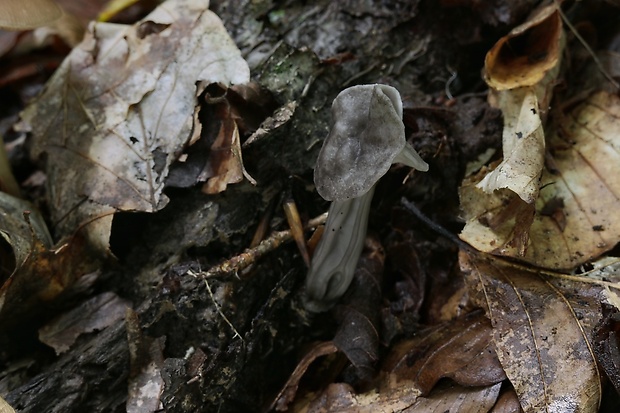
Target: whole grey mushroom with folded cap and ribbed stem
{"points": [[366, 137]]}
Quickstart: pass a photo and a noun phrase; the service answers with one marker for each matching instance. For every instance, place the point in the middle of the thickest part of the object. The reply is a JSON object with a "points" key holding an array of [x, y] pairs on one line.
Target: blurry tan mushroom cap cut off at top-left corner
{"points": [[27, 14]]}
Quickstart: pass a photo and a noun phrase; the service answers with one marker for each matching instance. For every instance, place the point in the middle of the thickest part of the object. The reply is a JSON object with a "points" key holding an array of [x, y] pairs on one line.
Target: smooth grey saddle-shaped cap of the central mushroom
{"points": [[366, 135]]}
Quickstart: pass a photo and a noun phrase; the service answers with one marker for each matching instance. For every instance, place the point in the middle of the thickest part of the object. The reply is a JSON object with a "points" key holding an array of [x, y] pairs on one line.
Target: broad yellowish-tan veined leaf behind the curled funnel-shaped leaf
{"points": [[572, 222]]}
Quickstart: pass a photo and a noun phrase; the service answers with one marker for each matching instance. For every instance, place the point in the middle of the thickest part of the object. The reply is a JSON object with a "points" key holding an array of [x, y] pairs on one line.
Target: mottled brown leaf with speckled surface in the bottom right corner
{"points": [[542, 328]]}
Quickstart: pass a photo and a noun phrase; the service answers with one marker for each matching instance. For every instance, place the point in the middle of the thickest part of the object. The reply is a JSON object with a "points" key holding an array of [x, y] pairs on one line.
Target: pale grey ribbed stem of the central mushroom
{"points": [[336, 256]]}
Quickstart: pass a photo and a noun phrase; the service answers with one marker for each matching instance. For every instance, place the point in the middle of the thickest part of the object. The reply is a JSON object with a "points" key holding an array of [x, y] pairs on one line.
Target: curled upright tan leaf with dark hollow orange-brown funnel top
{"points": [[521, 70]]}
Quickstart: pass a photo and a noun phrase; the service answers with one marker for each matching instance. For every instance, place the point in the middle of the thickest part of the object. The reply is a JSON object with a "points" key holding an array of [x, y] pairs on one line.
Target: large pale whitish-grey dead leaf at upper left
{"points": [[121, 107]]}
